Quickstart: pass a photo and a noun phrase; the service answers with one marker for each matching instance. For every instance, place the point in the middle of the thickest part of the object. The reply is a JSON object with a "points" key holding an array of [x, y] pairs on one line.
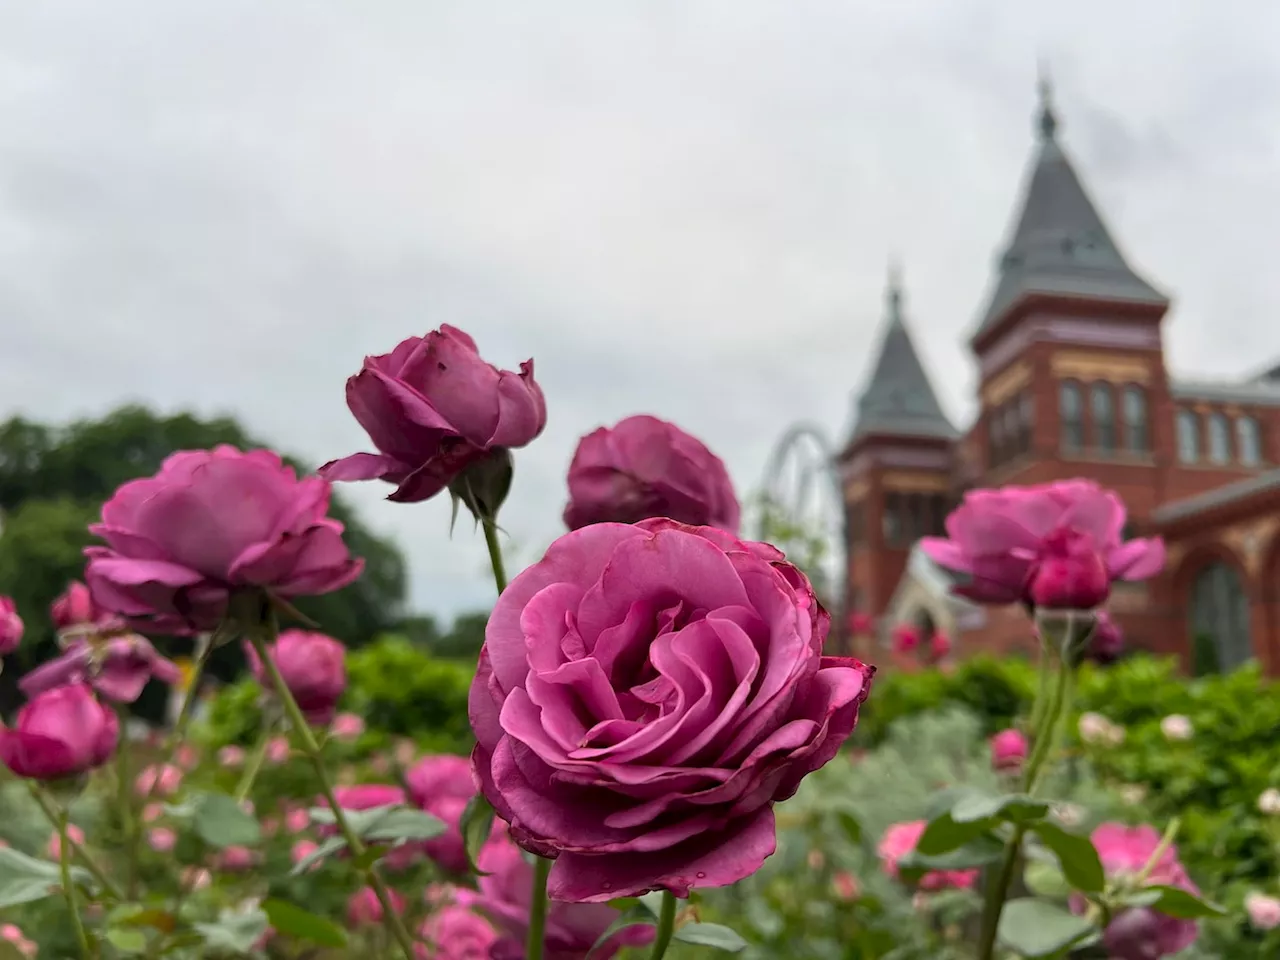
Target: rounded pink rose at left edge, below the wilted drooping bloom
{"points": [[62, 733]]}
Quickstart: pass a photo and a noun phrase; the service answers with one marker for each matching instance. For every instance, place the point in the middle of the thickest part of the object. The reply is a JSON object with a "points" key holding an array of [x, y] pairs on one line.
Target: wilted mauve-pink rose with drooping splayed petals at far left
{"points": [[118, 670]]}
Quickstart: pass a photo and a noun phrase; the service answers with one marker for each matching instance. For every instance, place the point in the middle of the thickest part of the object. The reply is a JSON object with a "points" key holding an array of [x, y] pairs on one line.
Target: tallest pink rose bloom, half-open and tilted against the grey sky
{"points": [[433, 408]]}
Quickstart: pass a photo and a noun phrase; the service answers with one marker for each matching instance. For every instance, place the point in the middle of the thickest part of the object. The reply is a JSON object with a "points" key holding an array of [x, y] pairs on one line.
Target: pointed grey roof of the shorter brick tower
{"points": [[899, 400]]}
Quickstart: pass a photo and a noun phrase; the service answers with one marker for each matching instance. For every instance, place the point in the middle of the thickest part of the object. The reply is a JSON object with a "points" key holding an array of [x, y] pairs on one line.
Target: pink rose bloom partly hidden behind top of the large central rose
{"points": [[646, 468]]}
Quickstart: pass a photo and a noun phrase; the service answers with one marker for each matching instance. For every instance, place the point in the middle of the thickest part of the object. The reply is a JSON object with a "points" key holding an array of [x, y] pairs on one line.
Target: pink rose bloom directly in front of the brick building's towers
{"points": [[1054, 546]]}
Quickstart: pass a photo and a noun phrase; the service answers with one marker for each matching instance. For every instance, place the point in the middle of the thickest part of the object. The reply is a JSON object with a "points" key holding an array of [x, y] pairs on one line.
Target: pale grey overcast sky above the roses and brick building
{"points": [[675, 208]]}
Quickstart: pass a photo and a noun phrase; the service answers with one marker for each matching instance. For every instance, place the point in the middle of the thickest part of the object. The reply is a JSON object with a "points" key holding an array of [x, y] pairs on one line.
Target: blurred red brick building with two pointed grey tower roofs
{"points": [[1073, 383]]}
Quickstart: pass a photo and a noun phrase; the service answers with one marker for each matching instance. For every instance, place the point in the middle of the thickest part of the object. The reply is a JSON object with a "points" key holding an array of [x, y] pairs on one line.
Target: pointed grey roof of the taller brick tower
{"points": [[1060, 245]]}
